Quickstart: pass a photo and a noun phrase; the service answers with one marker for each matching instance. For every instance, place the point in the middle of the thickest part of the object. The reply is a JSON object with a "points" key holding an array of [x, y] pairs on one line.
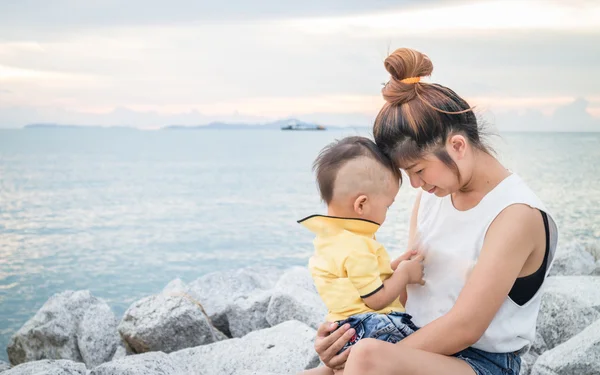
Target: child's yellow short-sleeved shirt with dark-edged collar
{"points": [[348, 264]]}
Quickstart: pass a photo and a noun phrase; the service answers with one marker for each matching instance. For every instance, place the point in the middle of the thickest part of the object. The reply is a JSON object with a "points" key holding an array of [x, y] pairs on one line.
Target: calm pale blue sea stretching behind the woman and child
{"points": [[123, 212]]}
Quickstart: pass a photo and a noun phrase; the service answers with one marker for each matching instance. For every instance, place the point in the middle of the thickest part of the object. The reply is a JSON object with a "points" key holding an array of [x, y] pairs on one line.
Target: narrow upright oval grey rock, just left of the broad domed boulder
{"points": [[97, 337]]}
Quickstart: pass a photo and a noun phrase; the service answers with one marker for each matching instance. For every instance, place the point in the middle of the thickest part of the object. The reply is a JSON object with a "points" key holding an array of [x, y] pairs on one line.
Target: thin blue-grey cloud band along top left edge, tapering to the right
{"points": [[70, 13]]}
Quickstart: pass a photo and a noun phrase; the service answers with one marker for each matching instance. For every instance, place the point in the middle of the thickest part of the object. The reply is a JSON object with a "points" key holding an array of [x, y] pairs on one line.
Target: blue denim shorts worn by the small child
{"points": [[391, 327]]}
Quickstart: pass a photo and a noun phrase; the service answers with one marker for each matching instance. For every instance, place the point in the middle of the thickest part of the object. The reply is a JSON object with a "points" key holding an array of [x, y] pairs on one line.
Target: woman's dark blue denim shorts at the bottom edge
{"points": [[484, 363]]}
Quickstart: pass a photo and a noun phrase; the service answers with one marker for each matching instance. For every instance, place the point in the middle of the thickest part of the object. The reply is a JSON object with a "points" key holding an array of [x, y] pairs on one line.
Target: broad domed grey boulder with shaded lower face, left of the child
{"points": [[165, 323]]}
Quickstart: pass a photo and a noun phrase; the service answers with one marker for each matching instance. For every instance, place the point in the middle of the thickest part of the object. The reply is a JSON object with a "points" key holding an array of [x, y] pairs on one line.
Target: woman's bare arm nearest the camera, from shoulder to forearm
{"points": [[510, 240]]}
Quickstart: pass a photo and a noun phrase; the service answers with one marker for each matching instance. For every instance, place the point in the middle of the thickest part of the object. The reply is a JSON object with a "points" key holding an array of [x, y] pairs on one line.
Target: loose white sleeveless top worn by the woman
{"points": [[453, 240]]}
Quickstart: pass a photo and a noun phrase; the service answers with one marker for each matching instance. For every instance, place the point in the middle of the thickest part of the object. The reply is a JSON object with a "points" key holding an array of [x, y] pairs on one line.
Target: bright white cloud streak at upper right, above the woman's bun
{"points": [[483, 16]]}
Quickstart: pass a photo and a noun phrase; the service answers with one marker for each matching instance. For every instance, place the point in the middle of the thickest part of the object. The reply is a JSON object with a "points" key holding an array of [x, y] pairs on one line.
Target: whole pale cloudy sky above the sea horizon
{"points": [[525, 65]]}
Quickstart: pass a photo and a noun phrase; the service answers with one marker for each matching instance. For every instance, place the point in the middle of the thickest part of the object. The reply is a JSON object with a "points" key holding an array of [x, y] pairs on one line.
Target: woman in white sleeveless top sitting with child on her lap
{"points": [[487, 239]]}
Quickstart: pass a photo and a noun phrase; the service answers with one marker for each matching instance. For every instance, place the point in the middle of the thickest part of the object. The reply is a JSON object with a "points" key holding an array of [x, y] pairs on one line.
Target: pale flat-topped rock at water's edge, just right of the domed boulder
{"points": [[217, 290]]}
